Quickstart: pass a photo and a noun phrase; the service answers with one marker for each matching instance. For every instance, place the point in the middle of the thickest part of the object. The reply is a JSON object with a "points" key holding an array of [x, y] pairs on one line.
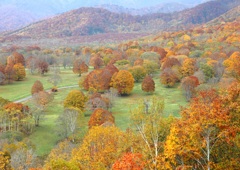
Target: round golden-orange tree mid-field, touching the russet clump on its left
{"points": [[123, 81]]}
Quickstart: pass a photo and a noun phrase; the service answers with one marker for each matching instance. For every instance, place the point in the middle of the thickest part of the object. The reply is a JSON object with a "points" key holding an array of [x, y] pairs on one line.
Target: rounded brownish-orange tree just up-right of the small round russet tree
{"points": [[168, 78]]}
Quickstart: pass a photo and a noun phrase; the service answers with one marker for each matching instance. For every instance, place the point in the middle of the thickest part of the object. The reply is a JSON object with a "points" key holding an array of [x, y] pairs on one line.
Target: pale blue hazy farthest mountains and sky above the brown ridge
{"points": [[15, 14]]}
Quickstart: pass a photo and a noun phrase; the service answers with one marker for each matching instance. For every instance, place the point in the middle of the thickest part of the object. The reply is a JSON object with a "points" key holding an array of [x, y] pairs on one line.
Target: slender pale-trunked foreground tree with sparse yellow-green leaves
{"points": [[151, 126]]}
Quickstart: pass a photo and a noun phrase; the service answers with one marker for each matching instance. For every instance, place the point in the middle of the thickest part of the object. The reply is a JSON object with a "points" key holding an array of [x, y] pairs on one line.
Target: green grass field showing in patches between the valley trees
{"points": [[45, 136]]}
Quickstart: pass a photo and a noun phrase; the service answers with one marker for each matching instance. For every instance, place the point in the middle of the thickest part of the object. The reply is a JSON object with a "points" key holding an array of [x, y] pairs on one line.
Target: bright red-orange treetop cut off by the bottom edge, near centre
{"points": [[129, 161]]}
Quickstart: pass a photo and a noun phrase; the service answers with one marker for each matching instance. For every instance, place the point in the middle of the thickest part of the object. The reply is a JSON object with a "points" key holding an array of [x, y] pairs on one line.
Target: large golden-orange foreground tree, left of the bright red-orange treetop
{"points": [[100, 148]]}
